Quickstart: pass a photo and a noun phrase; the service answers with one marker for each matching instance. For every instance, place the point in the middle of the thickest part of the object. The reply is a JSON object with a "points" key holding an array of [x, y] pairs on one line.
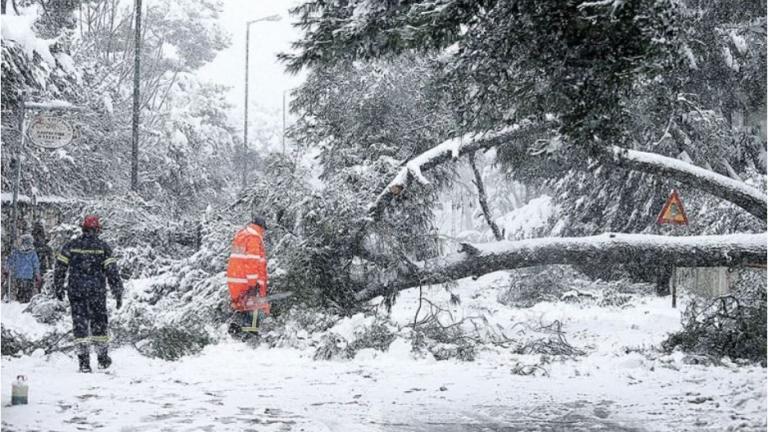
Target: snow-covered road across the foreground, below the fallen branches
{"points": [[233, 387]]}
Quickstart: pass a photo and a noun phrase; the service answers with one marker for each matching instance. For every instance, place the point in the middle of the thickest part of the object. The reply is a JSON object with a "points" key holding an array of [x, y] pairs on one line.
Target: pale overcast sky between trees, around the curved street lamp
{"points": [[268, 78]]}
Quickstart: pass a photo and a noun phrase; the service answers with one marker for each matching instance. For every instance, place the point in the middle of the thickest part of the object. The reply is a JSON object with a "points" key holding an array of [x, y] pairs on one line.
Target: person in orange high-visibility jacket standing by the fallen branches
{"points": [[247, 275]]}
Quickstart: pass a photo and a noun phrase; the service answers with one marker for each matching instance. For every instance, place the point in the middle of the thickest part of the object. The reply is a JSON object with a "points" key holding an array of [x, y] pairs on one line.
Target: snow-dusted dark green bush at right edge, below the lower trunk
{"points": [[733, 325]]}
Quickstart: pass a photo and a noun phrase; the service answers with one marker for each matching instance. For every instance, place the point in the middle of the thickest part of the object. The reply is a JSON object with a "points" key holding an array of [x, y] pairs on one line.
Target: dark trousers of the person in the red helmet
{"points": [[89, 312]]}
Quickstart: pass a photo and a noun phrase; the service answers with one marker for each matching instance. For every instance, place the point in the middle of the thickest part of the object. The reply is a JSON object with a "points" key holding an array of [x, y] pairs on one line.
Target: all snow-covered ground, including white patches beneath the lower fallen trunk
{"points": [[235, 387]]}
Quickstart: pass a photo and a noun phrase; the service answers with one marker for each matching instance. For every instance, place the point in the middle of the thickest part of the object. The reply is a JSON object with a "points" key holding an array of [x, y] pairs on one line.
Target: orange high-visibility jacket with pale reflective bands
{"points": [[247, 267]]}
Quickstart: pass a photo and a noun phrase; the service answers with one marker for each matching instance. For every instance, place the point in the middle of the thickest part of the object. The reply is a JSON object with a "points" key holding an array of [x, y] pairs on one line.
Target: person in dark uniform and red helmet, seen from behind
{"points": [[90, 262]]}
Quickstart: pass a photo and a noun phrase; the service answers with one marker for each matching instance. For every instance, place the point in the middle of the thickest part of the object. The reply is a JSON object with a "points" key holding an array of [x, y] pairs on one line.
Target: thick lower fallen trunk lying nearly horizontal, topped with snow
{"points": [[649, 250]]}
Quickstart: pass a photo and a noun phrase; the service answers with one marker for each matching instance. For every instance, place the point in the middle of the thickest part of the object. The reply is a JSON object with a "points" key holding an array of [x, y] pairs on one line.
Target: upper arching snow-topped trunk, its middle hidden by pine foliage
{"points": [[747, 197]]}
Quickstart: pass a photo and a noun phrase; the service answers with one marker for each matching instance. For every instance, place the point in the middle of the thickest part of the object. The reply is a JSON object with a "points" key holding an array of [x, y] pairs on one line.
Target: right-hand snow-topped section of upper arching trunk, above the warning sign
{"points": [[737, 192]]}
